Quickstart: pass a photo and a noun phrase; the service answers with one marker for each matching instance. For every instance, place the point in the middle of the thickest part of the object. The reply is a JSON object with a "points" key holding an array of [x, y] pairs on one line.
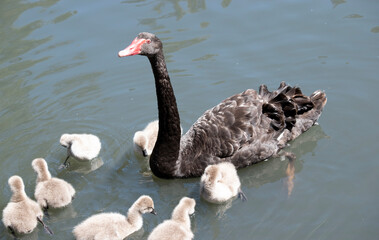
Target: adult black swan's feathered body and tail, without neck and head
{"points": [[248, 128]]}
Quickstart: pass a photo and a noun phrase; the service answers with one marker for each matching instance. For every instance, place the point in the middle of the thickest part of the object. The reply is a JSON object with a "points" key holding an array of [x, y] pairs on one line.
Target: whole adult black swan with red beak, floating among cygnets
{"points": [[244, 129]]}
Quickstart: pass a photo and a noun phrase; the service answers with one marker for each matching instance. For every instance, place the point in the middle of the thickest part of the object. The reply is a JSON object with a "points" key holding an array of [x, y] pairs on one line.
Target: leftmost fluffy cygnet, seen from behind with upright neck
{"points": [[21, 214]]}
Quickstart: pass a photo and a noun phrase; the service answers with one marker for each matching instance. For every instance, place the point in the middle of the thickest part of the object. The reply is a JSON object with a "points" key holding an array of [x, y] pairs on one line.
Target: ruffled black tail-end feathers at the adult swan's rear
{"points": [[290, 109]]}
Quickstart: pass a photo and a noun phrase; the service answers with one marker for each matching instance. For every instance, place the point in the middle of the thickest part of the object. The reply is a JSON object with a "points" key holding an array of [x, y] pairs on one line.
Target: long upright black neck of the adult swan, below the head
{"points": [[166, 149]]}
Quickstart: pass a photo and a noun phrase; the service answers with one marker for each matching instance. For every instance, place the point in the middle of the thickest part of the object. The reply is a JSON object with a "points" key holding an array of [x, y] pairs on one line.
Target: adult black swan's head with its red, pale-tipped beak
{"points": [[145, 43]]}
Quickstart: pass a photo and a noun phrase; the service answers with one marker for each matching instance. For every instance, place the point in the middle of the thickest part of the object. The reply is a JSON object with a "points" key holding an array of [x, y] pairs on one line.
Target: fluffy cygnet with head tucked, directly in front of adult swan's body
{"points": [[220, 182]]}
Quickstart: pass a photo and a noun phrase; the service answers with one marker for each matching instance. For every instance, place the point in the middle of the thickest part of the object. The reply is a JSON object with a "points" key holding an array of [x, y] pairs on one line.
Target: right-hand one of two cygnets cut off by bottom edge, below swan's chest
{"points": [[179, 226]]}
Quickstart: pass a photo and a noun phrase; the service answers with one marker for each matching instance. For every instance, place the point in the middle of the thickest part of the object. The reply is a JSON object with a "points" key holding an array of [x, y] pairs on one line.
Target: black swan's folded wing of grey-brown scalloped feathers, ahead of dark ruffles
{"points": [[225, 128]]}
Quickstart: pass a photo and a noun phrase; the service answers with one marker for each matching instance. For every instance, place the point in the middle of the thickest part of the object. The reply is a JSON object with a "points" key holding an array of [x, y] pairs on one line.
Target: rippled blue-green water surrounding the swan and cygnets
{"points": [[59, 73]]}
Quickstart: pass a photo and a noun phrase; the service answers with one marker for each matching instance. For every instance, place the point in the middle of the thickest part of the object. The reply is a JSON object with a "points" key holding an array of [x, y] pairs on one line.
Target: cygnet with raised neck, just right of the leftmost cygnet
{"points": [[51, 192]]}
